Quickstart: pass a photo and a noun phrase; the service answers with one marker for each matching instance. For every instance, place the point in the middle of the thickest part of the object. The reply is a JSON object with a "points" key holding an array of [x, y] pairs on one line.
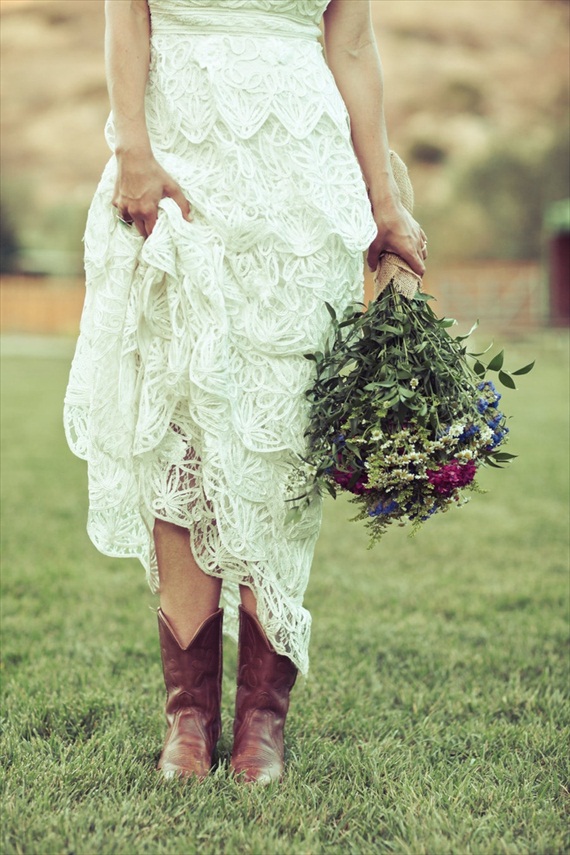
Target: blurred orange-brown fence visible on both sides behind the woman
{"points": [[503, 295]]}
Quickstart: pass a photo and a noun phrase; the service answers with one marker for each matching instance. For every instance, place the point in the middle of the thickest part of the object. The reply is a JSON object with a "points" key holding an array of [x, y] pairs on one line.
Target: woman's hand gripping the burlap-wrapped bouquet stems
{"points": [[399, 233]]}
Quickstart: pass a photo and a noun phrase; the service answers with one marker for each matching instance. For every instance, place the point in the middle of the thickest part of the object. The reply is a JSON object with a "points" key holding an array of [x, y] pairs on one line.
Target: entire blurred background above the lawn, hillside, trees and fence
{"points": [[477, 97]]}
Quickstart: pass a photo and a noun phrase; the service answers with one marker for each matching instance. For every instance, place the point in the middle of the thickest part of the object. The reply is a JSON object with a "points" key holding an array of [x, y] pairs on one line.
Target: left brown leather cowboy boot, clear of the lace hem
{"points": [[192, 676]]}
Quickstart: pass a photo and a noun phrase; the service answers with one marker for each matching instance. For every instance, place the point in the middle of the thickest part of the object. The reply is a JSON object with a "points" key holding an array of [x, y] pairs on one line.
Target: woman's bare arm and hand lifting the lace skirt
{"points": [[141, 181]]}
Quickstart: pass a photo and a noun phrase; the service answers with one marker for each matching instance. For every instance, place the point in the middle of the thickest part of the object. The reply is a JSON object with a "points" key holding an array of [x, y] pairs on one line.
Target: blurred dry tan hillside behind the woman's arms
{"points": [[463, 79]]}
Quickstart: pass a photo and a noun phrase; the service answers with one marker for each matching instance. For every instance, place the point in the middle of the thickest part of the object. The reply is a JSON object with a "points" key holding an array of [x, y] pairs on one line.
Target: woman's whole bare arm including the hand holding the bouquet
{"points": [[352, 56]]}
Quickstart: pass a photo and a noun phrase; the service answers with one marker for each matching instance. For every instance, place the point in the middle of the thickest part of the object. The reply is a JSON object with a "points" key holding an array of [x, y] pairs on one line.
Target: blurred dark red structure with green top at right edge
{"points": [[557, 223]]}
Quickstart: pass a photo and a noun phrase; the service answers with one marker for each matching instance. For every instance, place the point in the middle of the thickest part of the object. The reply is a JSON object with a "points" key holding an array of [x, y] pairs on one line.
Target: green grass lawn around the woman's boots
{"points": [[434, 718]]}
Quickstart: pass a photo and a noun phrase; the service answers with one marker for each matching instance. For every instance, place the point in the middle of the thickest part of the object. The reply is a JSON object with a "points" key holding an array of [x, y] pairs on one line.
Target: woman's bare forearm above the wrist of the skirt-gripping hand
{"points": [[127, 56]]}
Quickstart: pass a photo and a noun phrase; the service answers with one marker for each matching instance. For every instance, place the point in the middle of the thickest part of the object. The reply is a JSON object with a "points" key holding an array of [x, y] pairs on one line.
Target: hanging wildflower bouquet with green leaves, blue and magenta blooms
{"points": [[402, 416]]}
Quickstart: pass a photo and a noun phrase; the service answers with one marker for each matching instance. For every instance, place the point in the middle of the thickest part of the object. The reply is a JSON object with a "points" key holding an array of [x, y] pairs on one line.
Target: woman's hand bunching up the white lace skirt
{"points": [[141, 184]]}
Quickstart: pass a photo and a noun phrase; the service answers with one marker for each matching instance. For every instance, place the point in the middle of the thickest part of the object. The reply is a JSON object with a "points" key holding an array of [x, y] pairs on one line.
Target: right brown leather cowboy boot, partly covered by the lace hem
{"points": [[265, 679]]}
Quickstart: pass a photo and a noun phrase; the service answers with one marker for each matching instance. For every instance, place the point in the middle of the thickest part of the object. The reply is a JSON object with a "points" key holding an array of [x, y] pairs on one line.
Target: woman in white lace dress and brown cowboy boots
{"points": [[234, 206]]}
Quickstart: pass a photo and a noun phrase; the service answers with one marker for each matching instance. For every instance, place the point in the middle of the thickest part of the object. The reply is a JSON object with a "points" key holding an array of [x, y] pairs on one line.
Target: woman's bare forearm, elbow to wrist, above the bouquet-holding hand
{"points": [[358, 75]]}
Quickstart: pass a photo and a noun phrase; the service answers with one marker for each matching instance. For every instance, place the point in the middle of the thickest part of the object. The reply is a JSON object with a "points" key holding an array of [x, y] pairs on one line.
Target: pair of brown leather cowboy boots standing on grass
{"points": [[193, 679]]}
